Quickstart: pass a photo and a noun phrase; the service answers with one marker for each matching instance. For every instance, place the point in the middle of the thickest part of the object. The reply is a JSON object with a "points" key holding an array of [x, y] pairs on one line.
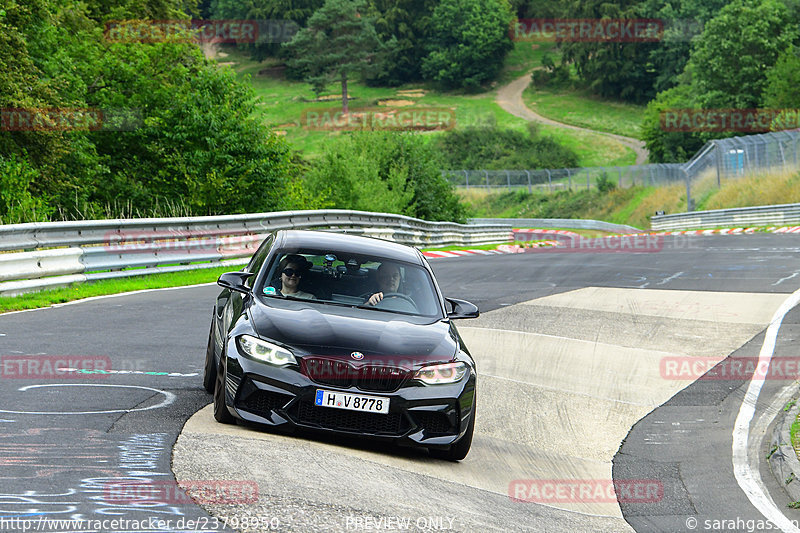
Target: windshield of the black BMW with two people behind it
{"points": [[344, 278]]}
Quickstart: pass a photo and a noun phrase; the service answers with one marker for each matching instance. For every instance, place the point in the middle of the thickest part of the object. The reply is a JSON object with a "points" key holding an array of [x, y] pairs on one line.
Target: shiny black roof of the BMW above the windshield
{"points": [[347, 243]]}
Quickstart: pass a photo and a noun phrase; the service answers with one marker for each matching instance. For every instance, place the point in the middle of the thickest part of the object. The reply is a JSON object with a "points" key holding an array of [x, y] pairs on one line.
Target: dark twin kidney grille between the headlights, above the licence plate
{"points": [[373, 378]]}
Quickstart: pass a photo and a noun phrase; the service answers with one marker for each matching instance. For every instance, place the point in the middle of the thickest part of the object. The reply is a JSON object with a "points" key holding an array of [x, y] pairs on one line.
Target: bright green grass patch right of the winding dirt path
{"points": [[580, 108]]}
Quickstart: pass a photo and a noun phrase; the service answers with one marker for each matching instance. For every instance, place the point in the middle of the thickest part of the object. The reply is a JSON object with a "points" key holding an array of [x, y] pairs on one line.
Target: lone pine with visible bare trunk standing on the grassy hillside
{"points": [[339, 41]]}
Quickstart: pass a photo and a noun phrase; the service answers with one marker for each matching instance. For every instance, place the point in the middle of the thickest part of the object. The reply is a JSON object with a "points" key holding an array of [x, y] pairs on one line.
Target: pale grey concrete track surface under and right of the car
{"points": [[562, 379]]}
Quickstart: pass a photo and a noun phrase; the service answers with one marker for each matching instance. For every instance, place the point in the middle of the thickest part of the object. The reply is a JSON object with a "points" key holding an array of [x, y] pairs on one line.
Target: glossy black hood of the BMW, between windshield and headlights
{"points": [[319, 329]]}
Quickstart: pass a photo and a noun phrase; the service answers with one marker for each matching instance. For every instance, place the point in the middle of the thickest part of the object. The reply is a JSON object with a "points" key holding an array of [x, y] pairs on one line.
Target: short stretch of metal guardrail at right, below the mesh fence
{"points": [[768, 215]]}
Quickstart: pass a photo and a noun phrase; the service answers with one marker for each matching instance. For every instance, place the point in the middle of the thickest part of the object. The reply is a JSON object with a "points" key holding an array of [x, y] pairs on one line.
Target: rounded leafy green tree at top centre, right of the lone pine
{"points": [[468, 42]]}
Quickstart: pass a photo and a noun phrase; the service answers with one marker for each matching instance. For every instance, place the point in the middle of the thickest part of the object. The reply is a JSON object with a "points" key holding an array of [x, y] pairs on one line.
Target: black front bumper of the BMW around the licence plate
{"points": [[434, 416]]}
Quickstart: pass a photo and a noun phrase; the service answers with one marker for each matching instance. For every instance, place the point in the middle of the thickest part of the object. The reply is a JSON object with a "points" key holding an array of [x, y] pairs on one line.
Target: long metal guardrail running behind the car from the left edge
{"points": [[49, 254]]}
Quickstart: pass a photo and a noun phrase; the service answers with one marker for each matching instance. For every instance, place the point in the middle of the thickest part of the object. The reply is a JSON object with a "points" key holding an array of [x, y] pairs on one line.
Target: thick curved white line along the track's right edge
{"points": [[747, 478]]}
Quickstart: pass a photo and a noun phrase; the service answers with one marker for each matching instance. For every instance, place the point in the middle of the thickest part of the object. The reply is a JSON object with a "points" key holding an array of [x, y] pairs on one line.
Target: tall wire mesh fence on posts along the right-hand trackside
{"points": [[722, 158]]}
